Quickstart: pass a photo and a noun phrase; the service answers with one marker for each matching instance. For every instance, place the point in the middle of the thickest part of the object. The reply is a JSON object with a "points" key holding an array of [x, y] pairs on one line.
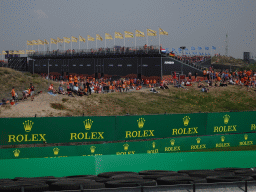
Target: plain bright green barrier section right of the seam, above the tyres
{"points": [[176, 161]]}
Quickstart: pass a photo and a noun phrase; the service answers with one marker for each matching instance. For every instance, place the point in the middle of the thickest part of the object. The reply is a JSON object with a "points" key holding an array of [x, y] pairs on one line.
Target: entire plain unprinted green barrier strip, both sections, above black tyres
{"points": [[60, 167]]}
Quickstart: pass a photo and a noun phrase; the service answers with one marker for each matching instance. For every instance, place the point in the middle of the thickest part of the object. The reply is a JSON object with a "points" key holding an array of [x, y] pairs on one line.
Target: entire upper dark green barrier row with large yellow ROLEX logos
{"points": [[16, 131]]}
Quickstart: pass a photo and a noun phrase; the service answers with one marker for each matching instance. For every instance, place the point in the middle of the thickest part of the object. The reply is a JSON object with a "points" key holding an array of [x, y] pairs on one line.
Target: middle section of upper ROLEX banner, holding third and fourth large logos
{"points": [[160, 126]]}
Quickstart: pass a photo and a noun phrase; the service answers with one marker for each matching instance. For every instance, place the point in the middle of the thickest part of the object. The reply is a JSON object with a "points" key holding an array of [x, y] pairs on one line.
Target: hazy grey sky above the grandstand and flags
{"points": [[190, 23]]}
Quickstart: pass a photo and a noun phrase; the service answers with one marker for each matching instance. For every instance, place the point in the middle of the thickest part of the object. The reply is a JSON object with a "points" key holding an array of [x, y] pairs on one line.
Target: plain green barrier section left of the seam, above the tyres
{"points": [[39, 167]]}
